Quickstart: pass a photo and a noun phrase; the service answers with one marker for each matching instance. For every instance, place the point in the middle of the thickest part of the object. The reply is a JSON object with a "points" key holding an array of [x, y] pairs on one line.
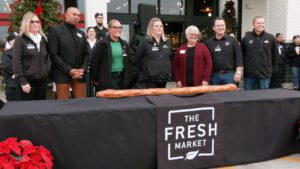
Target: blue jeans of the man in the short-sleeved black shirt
{"points": [[222, 78]]}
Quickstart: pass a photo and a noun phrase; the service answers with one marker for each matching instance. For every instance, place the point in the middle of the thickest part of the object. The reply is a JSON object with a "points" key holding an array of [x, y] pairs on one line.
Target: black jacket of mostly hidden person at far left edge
{"points": [[7, 69]]}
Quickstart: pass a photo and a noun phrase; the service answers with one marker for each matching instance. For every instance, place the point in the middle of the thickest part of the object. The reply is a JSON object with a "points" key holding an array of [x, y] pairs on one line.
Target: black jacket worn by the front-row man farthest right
{"points": [[260, 55]]}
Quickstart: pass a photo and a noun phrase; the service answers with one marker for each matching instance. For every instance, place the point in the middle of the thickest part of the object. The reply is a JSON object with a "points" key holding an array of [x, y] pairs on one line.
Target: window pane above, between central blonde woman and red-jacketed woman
{"points": [[172, 7]]}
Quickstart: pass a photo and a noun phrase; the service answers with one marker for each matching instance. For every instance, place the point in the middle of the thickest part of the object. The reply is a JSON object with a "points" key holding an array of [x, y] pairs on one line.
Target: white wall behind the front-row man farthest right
{"points": [[280, 16]]}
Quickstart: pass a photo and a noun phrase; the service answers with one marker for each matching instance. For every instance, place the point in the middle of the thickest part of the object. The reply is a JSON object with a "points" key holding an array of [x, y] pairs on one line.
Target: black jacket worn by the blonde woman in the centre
{"points": [[154, 60]]}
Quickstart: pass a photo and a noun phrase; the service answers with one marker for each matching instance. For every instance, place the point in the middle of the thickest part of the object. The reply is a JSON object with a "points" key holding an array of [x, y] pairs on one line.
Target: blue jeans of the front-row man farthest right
{"points": [[251, 83]]}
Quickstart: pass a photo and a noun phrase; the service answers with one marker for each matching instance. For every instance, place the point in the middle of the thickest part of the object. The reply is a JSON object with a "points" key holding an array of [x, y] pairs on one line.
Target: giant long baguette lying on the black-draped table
{"points": [[110, 93]]}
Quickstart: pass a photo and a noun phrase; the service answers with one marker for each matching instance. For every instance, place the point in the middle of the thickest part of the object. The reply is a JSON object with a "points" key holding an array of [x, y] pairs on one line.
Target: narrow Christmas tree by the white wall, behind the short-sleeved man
{"points": [[229, 16]]}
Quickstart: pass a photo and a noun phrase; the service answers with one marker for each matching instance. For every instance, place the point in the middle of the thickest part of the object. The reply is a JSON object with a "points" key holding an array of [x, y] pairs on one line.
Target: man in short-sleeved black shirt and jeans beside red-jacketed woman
{"points": [[226, 56]]}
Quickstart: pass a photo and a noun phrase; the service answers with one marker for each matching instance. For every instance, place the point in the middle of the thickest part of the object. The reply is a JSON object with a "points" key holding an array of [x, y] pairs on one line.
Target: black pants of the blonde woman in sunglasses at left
{"points": [[38, 90]]}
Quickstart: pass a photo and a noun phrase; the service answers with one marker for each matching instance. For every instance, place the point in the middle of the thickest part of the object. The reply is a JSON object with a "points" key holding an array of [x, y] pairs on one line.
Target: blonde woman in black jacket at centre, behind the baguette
{"points": [[153, 57]]}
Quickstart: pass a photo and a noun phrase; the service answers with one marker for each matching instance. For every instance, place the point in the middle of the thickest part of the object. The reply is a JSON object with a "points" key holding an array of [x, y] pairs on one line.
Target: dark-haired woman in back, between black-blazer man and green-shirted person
{"points": [[92, 40]]}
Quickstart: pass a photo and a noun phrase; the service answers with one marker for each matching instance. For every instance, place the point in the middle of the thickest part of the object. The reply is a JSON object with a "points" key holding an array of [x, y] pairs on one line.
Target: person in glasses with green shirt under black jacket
{"points": [[110, 64]]}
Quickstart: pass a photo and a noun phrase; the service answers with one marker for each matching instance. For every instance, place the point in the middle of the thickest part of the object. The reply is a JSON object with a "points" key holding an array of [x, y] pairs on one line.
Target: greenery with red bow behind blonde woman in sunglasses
{"points": [[48, 11]]}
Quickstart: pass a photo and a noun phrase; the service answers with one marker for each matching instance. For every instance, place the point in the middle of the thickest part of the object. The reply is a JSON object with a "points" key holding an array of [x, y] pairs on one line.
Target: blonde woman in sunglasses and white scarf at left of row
{"points": [[30, 59]]}
